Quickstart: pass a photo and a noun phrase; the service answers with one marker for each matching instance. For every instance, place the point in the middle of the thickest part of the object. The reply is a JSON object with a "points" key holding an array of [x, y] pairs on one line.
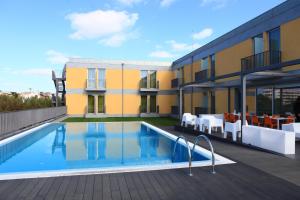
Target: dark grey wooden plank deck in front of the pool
{"points": [[256, 175]]}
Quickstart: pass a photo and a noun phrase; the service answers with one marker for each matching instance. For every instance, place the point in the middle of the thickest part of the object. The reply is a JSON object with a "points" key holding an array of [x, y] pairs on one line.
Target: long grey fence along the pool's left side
{"points": [[14, 121]]}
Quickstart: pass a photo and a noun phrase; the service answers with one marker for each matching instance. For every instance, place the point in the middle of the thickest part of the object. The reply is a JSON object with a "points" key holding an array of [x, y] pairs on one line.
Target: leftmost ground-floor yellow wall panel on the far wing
{"points": [[76, 104]]}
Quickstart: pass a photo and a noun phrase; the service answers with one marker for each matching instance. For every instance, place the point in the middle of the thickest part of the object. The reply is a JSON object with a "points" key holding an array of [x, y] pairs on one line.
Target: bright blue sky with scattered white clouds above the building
{"points": [[38, 36]]}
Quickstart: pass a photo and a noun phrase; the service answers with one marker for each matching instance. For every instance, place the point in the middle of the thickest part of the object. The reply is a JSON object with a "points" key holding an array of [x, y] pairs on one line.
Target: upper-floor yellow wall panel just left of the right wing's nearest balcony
{"points": [[229, 60]]}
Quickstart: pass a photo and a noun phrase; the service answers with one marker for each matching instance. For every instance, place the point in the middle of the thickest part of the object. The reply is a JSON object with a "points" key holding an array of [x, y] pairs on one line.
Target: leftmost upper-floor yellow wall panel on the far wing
{"points": [[76, 78]]}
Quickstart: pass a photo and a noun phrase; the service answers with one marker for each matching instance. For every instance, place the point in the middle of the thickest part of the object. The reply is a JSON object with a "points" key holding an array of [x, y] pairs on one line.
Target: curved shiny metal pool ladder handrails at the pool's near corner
{"points": [[191, 152]]}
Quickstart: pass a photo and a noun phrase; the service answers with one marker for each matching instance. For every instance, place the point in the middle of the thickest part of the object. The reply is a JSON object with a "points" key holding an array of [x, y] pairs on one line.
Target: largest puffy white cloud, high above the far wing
{"points": [[111, 27]]}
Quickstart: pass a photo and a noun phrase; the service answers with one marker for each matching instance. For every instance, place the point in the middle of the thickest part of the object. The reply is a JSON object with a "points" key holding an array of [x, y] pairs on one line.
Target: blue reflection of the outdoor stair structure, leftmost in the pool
{"points": [[59, 140]]}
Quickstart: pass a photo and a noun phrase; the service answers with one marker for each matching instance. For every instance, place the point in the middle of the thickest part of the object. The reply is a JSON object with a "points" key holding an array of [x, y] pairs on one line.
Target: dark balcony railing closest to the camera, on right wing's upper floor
{"points": [[255, 61]]}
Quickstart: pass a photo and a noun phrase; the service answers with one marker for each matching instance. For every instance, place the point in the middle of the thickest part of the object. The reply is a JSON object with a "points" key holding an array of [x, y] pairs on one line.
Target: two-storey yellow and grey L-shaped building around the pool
{"points": [[210, 77]]}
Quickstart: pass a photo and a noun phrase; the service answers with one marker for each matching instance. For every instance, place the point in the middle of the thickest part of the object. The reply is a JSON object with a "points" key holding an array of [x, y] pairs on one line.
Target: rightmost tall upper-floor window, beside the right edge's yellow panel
{"points": [[274, 45]]}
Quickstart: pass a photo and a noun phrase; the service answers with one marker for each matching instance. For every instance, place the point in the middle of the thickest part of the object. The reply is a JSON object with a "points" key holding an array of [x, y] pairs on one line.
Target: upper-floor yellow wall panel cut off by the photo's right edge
{"points": [[290, 40]]}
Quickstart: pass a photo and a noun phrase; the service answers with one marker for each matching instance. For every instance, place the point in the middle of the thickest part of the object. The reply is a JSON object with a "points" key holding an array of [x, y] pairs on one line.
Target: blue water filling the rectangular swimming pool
{"points": [[63, 146]]}
